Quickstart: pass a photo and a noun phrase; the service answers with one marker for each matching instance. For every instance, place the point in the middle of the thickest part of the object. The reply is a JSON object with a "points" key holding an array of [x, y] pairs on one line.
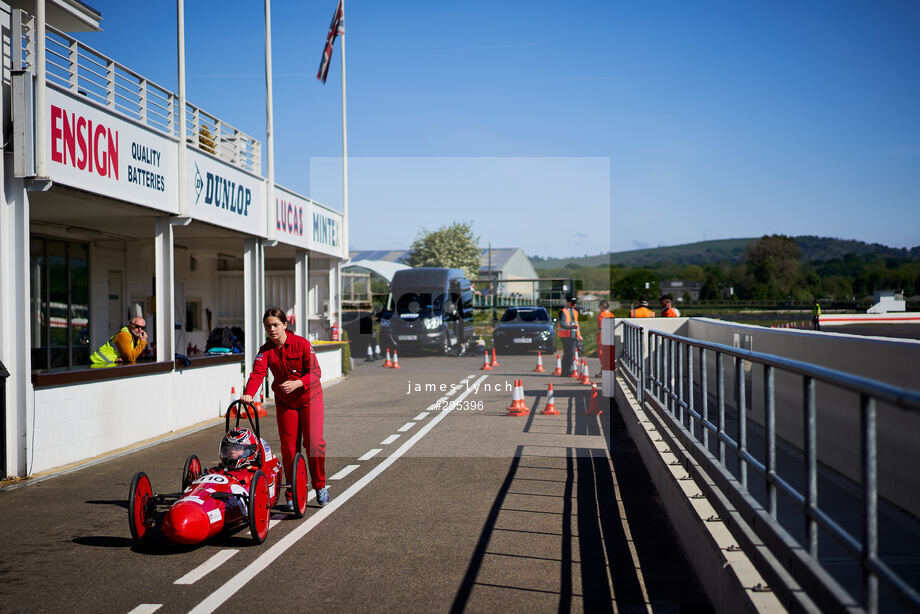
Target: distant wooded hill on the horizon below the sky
{"points": [[814, 249]]}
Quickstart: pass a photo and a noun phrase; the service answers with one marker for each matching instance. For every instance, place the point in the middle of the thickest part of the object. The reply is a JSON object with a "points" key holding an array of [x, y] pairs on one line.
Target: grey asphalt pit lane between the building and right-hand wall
{"points": [[432, 510]]}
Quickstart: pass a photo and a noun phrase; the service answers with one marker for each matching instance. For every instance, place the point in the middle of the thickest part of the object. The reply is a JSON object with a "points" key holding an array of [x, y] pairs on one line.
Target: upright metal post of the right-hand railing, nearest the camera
{"points": [[870, 502]]}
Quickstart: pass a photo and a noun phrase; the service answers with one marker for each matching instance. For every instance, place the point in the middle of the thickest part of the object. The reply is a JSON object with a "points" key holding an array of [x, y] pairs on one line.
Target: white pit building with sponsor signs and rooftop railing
{"points": [[93, 230]]}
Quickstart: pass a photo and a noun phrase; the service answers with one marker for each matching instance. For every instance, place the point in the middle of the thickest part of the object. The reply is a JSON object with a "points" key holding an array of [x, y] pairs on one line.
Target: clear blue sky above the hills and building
{"points": [[570, 129]]}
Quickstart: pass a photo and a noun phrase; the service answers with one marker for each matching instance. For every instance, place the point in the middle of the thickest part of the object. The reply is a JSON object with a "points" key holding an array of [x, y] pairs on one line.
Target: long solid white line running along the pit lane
{"points": [[237, 582]]}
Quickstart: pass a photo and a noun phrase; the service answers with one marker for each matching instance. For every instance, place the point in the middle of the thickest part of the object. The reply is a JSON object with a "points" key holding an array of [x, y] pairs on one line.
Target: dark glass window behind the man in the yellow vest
{"points": [[59, 303]]}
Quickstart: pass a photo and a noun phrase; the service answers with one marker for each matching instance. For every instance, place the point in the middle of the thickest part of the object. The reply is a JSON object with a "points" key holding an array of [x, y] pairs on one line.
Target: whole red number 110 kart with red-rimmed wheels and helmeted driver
{"points": [[241, 489]]}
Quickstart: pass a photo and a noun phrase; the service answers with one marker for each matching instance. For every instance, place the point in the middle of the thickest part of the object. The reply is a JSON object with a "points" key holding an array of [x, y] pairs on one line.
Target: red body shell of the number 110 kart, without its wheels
{"points": [[217, 499]]}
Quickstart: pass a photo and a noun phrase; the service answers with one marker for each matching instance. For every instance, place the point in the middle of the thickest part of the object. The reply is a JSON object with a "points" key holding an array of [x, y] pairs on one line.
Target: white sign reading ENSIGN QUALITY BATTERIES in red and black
{"points": [[99, 152]]}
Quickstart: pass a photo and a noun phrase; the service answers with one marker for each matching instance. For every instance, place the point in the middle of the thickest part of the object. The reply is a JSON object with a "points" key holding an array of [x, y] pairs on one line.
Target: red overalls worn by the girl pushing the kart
{"points": [[300, 414]]}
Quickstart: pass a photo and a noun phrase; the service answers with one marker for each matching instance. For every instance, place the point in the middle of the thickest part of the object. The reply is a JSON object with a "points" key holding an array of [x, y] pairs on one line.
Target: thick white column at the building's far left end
{"points": [[16, 323]]}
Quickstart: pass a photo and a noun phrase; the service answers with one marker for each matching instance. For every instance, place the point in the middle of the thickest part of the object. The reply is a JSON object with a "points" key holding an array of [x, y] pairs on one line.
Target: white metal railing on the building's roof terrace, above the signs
{"points": [[75, 67]]}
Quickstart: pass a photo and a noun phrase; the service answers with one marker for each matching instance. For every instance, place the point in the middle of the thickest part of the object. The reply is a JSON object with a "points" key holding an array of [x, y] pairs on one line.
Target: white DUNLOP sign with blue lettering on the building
{"points": [[224, 195]]}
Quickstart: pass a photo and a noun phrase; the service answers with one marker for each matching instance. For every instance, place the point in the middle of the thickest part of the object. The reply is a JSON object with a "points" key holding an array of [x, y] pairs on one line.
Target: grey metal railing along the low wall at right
{"points": [[661, 368]]}
